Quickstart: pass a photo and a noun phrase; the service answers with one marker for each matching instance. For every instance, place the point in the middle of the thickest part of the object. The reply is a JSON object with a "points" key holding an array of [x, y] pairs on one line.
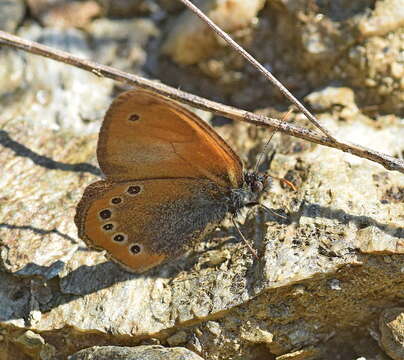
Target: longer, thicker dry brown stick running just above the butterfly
{"points": [[389, 162]]}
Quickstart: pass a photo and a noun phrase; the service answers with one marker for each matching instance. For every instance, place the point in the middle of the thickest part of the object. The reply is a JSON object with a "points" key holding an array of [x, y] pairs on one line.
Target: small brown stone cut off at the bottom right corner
{"points": [[391, 325]]}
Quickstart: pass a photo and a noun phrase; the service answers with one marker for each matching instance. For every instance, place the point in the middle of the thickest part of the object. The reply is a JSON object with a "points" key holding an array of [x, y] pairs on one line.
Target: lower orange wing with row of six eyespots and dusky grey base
{"points": [[141, 223]]}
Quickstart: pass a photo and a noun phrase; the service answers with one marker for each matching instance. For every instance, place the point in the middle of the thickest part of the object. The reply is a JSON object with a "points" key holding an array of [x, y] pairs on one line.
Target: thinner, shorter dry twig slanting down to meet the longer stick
{"points": [[257, 65]]}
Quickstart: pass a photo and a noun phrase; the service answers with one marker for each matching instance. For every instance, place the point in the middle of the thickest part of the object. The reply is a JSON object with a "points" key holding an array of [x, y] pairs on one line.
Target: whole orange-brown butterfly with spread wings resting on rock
{"points": [[169, 180]]}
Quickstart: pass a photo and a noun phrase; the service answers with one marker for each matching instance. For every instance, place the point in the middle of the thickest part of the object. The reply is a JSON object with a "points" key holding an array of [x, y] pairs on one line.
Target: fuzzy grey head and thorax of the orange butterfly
{"points": [[254, 186]]}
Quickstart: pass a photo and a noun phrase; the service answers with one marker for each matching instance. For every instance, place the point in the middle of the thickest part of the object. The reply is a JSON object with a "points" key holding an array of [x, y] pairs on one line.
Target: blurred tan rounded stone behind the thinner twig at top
{"points": [[190, 40]]}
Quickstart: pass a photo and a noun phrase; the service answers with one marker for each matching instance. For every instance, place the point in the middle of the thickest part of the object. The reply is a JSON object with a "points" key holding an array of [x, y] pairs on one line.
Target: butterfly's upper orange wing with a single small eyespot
{"points": [[146, 136]]}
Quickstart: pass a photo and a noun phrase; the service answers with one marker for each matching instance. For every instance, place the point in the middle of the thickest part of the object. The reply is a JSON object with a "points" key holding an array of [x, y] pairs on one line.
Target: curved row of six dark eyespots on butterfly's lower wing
{"points": [[106, 214]]}
